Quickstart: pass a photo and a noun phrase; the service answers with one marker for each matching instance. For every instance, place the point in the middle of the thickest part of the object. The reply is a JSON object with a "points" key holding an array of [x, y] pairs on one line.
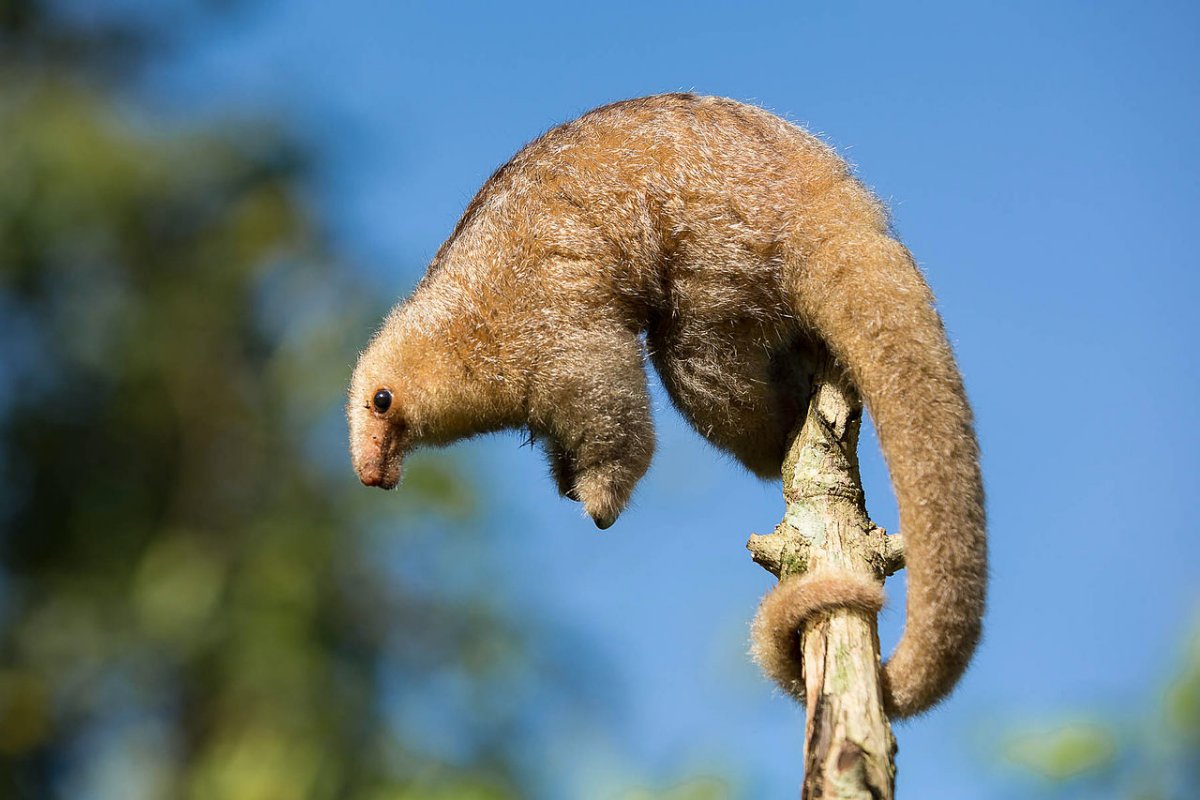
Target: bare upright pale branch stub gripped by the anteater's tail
{"points": [[849, 748]]}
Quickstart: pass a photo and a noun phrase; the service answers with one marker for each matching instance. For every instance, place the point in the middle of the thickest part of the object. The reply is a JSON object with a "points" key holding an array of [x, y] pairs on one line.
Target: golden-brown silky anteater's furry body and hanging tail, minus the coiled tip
{"points": [[742, 249]]}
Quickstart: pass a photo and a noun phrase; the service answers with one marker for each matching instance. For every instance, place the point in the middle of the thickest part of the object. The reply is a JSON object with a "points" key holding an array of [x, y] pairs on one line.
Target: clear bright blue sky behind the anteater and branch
{"points": [[1041, 163]]}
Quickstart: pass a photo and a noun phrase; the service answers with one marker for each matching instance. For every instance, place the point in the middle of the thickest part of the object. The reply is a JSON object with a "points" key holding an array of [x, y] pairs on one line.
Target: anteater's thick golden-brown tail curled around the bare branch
{"points": [[863, 294]]}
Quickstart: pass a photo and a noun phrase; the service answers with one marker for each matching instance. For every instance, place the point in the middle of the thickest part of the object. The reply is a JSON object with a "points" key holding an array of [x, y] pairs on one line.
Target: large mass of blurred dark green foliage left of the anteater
{"points": [[196, 600]]}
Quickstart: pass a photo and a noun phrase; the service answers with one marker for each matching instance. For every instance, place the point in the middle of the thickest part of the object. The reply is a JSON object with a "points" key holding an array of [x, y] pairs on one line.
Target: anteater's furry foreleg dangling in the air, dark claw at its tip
{"points": [[590, 401]]}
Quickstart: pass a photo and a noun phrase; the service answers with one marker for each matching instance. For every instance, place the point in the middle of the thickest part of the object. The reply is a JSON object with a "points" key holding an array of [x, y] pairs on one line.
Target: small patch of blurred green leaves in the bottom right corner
{"points": [[1149, 756]]}
